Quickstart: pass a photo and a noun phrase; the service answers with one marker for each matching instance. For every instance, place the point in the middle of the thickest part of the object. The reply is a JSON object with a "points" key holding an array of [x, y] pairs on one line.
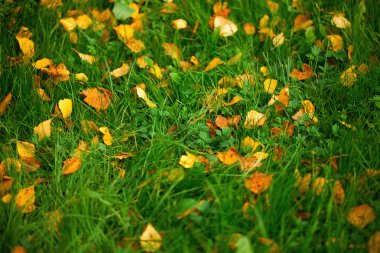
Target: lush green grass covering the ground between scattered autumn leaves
{"points": [[100, 210]]}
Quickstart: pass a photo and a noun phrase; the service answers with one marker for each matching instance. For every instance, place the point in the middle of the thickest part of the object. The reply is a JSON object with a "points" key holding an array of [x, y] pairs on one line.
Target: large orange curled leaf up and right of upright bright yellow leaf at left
{"points": [[98, 98]]}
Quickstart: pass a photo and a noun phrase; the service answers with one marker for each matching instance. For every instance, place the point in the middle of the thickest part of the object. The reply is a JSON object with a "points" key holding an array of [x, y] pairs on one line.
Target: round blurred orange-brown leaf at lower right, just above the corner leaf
{"points": [[360, 216]]}
